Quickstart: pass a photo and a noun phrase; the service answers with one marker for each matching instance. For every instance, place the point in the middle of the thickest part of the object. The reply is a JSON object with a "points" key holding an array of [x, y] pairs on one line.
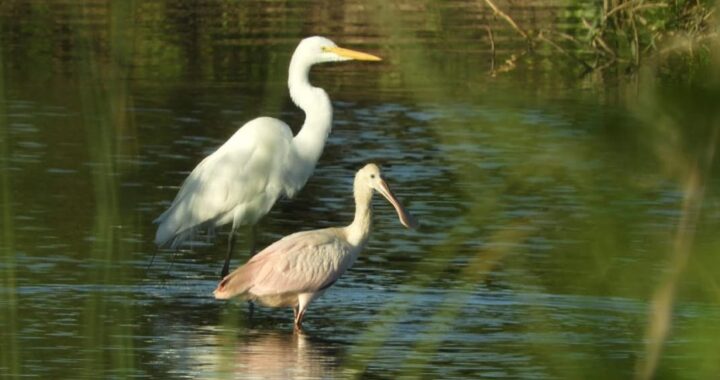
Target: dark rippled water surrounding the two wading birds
{"points": [[554, 206]]}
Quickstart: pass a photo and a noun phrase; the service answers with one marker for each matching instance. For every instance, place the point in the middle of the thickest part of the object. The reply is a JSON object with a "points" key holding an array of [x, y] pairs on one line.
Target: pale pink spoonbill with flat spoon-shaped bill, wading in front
{"points": [[298, 268]]}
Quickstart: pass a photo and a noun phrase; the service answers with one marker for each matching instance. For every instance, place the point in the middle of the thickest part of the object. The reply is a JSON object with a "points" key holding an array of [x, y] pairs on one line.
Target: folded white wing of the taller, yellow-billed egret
{"points": [[247, 171]]}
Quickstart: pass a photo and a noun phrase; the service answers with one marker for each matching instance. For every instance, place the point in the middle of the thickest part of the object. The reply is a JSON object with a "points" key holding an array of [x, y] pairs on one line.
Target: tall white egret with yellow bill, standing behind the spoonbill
{"points": [[242, 179]]}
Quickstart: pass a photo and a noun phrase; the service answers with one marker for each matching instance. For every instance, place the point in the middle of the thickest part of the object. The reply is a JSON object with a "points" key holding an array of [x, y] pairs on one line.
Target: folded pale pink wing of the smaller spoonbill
{"points": [[302, 262]]}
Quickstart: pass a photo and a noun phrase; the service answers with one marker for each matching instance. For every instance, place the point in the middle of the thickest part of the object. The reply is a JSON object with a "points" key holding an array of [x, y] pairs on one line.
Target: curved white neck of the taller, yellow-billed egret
{"points": [[309, 142]]}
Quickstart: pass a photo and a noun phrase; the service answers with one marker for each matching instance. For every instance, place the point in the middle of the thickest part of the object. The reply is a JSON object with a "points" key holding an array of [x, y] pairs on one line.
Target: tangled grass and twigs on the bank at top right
{"points": [[622, 33]]}
